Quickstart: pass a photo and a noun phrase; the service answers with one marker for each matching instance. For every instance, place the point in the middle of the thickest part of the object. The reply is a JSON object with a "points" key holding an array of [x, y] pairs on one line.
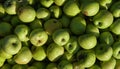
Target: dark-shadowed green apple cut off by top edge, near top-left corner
{"points": [[10, 7]]}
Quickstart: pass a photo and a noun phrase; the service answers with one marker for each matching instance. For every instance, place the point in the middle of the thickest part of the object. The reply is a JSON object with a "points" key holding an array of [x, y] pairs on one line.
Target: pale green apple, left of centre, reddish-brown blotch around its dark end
{"points": [[38, 37]]}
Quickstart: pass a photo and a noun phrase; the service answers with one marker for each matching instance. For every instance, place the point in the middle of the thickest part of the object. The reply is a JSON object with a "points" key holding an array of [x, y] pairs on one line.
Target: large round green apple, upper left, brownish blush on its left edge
{"points": [[26, 14]]}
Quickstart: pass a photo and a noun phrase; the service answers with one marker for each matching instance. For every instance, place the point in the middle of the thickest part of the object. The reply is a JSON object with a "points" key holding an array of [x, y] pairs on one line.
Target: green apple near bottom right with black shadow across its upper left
{"points": [[86, 58]]}
